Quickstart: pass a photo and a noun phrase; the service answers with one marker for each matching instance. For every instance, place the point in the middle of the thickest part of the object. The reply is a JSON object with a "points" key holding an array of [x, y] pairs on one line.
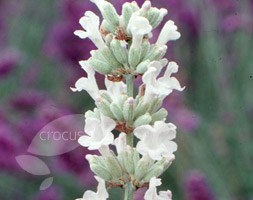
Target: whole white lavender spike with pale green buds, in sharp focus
{"points": [[124, 52]]}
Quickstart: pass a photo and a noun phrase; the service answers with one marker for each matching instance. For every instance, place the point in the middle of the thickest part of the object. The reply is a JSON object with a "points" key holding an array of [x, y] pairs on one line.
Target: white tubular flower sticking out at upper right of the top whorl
{"points": [[168, 33]]}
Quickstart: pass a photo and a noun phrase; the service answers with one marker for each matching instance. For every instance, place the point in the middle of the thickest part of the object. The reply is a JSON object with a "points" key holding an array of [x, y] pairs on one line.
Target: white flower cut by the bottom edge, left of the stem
{"points": [[101, 193]]}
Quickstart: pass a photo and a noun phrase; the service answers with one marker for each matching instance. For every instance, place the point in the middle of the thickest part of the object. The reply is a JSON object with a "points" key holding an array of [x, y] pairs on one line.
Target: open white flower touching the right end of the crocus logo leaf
{"points": [[98, 132]]}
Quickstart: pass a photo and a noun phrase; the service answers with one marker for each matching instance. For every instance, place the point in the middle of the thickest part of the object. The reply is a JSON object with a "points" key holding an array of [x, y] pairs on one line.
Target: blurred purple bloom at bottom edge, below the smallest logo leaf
{"points": [[52, 193]]}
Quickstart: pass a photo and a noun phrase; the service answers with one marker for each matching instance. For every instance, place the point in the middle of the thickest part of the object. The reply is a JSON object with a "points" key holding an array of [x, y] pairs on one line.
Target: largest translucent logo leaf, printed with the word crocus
{"points": [[59, 136]]}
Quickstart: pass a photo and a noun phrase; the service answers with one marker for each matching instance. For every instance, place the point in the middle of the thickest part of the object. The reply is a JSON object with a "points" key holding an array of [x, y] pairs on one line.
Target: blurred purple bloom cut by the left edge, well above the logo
{"points": [[8, 61]]}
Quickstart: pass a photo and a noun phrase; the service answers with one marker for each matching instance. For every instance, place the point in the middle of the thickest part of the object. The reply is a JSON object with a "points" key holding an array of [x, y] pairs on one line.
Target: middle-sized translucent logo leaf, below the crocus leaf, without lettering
{"points": [[32, 165]]}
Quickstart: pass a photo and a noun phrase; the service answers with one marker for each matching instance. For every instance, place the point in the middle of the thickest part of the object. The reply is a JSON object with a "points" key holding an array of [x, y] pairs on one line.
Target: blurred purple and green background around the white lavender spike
{"points": [[39, 62]]}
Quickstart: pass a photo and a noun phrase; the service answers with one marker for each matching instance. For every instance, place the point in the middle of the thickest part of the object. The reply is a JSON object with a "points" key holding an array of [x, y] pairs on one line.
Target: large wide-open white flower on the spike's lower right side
{"points": [[155, 141]]}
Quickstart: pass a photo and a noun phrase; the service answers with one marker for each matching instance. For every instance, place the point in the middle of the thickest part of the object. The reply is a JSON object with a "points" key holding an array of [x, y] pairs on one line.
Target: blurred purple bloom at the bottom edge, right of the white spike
{"points": [[197, 187]]}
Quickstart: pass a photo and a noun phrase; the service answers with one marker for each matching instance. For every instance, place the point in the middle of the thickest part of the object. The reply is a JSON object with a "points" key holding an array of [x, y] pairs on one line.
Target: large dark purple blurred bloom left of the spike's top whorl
{"points": [[62, 43]]}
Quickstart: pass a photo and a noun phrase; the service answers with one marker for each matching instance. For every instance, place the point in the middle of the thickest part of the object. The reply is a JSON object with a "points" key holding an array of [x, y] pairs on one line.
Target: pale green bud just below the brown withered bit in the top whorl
{"points": [[119, 51]]}
